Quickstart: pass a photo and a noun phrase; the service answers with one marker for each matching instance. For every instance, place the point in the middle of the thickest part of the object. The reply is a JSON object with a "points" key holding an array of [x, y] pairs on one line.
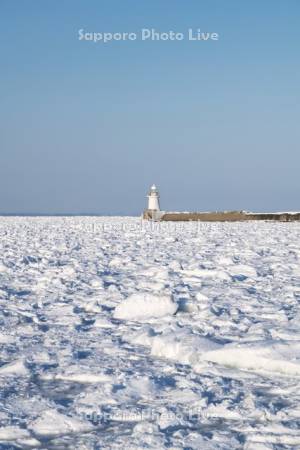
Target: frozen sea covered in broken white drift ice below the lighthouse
{"points": [[121, 334]]}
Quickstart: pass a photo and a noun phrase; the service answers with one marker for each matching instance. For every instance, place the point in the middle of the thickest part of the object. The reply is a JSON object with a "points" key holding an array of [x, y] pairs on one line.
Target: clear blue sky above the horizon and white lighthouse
{"points": [[87, 127]]}
